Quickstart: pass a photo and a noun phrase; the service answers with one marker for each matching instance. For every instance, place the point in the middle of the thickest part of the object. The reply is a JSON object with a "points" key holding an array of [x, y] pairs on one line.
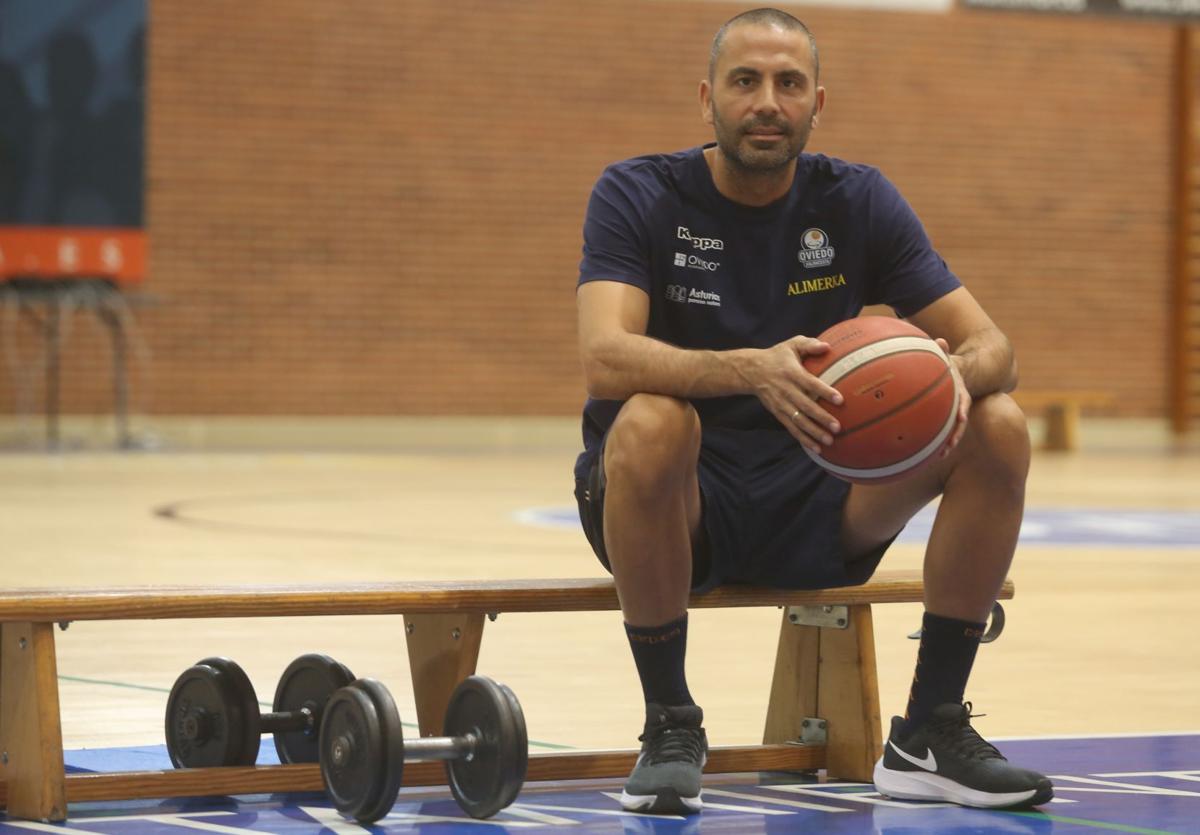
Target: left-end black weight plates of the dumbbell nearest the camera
{"points": [[358, 764]]}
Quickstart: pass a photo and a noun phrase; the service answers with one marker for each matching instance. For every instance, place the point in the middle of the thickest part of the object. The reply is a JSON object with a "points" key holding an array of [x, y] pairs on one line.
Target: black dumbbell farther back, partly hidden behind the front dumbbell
{"points": [[213, 717]]}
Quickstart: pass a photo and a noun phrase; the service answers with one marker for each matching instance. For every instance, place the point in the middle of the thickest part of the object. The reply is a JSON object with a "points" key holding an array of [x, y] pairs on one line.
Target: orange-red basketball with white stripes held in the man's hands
{"points": [[899, 399]]}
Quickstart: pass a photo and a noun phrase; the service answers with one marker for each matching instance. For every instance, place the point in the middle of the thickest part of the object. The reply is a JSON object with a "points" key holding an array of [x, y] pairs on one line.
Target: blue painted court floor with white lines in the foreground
{"points": [[1147, 784]]}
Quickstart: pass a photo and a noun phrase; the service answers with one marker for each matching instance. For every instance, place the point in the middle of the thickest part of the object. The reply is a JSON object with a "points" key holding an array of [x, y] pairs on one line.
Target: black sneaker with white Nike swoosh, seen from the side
{"points": [[945, 759]]}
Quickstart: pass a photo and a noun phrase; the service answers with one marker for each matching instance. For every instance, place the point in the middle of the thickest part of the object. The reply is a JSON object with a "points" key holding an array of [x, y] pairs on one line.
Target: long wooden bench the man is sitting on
{"points": [[825, 672]]}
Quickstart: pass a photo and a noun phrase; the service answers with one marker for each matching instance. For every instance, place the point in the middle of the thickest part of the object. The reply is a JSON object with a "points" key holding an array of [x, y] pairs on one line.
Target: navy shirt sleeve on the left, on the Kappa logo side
{"points": [[616, 242]]}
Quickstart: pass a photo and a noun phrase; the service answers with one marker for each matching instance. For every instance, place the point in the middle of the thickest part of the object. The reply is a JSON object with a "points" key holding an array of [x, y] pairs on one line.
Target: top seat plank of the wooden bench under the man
{"points": [[151, 603]]}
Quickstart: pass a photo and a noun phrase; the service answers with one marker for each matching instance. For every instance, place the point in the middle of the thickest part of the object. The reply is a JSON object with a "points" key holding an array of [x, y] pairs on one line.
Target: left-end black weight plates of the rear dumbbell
{"points": [[205, 725]]}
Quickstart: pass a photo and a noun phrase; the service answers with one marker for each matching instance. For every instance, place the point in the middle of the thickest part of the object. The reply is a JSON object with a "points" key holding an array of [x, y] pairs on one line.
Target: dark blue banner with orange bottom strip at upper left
{"points": [[73, 112]]}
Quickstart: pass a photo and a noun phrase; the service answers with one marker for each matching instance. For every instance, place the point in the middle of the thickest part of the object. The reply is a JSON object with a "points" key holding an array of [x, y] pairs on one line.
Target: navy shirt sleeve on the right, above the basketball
{"points": [[909, 272]]}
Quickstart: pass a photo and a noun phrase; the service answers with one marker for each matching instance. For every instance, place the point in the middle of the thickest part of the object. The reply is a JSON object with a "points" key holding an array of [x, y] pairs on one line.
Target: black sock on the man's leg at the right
{"points": [[944, 665]]}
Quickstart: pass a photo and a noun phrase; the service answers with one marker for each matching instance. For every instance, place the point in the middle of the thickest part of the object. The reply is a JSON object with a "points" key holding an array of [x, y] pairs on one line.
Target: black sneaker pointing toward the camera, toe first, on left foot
{"points": [[667, 778]]}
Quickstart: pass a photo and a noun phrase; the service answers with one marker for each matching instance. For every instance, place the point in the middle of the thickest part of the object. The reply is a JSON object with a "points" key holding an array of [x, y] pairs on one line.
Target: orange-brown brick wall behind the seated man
{"points": [[375, 208]]}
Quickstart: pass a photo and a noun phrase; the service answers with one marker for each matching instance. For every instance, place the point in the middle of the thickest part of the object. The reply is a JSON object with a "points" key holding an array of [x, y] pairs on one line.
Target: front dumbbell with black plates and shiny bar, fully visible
{"points": [[363, 748]]}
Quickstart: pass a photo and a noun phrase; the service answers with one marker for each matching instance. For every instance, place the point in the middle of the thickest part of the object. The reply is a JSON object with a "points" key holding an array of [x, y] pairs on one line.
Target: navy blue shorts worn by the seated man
{"points": [[770, 515]]}
